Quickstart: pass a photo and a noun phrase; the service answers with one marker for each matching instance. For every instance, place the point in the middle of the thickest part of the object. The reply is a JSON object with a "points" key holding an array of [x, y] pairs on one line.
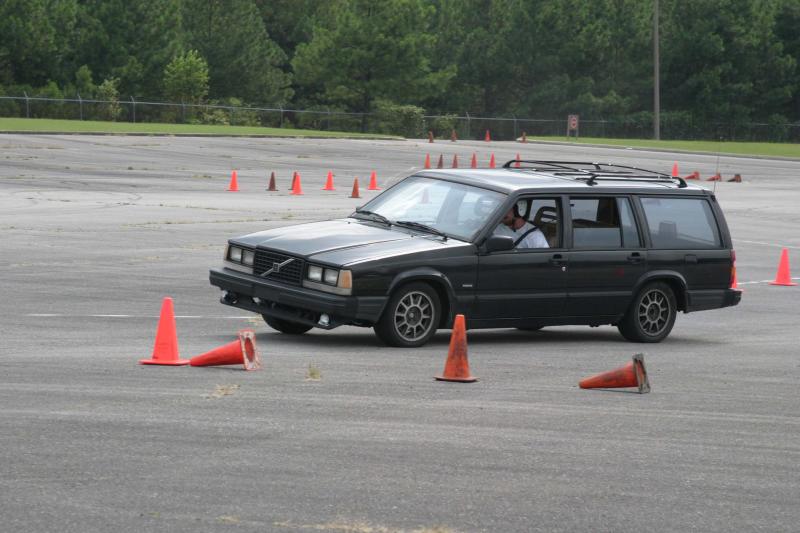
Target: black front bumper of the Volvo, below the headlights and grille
{"points": [[297, 304]]}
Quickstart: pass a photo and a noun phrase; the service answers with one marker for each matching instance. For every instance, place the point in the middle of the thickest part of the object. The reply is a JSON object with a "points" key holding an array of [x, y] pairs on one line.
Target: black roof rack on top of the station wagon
{"points": [[592, 172]]}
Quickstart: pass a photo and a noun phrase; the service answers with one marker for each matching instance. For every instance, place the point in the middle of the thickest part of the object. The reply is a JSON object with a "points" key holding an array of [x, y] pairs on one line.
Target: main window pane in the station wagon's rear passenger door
{"points": [[595, 223]]}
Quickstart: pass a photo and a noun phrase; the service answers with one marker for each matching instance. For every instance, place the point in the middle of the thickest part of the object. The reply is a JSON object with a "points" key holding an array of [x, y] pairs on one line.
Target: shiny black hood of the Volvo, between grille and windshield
{"points": [[342, 241]]}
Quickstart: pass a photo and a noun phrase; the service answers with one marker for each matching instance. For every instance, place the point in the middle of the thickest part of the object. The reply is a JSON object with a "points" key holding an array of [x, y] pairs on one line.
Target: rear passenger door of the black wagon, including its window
{"points": [[607, 257]]}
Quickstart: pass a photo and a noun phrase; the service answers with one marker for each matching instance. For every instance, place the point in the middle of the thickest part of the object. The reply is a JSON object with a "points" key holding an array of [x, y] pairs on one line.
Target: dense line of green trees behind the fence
{"points": [[721, 60]]}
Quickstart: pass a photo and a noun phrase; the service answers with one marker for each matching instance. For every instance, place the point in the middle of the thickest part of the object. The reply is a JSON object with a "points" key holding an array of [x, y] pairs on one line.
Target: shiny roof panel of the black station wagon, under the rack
{"points": [[513, 180]]}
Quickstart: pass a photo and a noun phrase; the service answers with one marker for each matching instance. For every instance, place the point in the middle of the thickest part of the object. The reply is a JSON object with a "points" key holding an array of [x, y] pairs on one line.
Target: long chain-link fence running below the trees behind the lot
{"points": [[673, 126]]}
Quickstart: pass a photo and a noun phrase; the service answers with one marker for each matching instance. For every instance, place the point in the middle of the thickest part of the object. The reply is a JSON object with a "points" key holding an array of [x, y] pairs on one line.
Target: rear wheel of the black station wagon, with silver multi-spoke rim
{"points": [[651, 315]]}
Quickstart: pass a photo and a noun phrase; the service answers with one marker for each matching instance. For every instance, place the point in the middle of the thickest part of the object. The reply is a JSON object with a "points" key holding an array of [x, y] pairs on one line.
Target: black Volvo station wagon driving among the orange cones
{"points": [[534, 244]]}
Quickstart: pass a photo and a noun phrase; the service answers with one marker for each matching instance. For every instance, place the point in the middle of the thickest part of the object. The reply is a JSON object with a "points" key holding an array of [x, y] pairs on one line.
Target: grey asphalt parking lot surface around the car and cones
{"points": [[97, 230]]}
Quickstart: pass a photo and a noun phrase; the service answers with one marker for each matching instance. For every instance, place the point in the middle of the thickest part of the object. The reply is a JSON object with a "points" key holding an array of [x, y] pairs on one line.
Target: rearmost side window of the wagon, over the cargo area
{"points": [[681, 223]]}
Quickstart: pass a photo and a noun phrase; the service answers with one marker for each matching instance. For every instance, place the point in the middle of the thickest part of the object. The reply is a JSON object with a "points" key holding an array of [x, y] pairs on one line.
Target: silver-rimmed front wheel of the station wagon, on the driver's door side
{"points": [[411, 317]]}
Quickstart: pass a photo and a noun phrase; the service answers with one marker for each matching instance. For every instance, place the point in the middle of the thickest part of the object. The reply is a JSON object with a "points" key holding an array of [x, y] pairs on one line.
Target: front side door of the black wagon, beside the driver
{"points": [[525, 283]]}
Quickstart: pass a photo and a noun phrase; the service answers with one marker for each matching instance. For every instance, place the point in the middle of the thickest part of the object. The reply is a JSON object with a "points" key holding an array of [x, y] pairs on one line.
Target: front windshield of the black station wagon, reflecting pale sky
{"points": [[455, 209]]}
